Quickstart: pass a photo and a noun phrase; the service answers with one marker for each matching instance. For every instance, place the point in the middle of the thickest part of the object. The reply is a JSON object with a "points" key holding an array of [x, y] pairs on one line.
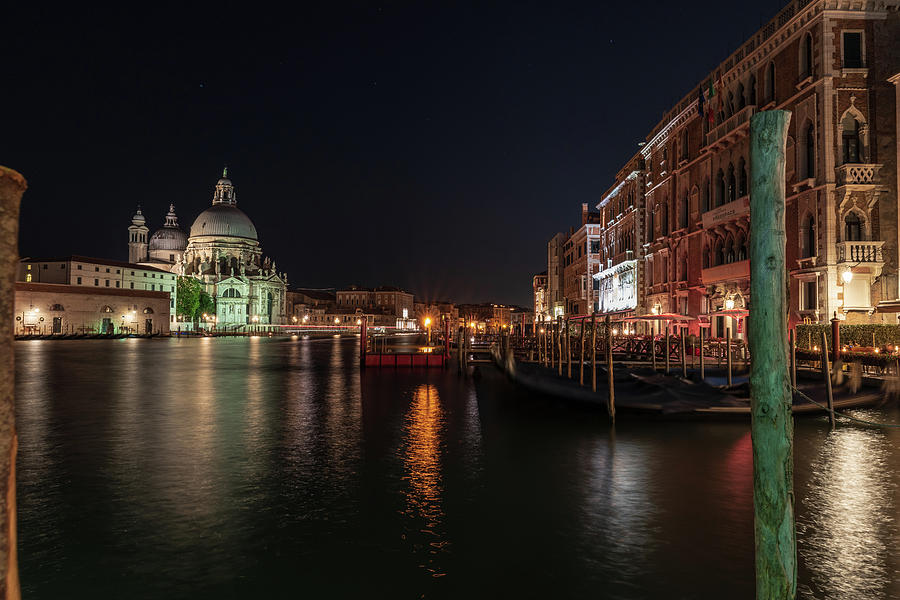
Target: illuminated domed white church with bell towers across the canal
{"points": [[222, 251]]}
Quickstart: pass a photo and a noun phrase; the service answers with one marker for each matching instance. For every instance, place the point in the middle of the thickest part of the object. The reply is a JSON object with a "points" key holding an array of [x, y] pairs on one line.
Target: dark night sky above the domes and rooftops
{"points": [[434, 146]]}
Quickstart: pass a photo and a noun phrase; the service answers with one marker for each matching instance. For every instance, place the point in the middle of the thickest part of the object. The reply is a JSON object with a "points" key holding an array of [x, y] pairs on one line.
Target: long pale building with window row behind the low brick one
{"points": [[100, 273]]}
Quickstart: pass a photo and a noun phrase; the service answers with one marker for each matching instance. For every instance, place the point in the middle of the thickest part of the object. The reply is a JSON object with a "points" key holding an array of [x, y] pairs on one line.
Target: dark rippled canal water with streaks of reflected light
{"points": [[273, 468]]}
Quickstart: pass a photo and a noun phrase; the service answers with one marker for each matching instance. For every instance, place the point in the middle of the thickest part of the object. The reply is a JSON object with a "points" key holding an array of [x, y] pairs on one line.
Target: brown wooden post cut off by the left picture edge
{"points": [[12, 186]]}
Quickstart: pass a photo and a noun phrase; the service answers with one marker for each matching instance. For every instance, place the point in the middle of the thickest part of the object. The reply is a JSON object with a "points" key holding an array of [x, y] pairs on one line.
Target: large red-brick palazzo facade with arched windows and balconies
{"points": [[675, 222]]}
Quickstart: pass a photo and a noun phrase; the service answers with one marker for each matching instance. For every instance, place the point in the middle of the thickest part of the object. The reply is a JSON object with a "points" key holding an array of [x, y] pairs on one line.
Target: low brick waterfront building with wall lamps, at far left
{"points": [[62, 309]]}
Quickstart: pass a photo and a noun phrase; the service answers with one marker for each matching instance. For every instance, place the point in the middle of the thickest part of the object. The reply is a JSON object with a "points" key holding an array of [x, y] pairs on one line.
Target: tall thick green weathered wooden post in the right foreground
{"points": [[772, 426]]}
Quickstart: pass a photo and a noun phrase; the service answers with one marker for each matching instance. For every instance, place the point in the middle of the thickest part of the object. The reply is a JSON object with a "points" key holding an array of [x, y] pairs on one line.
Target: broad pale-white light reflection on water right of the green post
{"points": [[848, 506]]}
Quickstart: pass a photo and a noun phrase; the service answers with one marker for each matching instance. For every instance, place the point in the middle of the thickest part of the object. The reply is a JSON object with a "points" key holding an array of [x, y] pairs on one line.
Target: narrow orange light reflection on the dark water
{"points": [[423, 427]]}
